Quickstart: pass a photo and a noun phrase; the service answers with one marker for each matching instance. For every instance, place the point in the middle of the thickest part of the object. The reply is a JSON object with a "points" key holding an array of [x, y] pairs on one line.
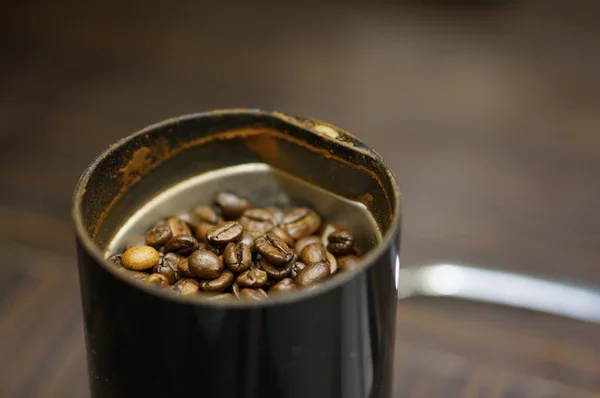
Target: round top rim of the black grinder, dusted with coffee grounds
{"points": [[369, 259]]}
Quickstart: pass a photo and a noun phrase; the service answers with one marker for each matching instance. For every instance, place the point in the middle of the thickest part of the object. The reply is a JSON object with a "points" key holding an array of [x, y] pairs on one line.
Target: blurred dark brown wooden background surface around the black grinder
{"points": [[487, 111]]}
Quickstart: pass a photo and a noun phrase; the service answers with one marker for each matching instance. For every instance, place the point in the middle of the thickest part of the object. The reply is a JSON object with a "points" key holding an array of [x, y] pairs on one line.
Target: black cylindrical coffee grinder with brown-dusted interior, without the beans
{"points": [[336, 341]]}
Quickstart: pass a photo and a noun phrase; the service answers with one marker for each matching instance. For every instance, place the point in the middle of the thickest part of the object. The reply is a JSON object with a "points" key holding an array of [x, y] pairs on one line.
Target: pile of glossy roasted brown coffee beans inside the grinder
{"points": [[232, 250]]}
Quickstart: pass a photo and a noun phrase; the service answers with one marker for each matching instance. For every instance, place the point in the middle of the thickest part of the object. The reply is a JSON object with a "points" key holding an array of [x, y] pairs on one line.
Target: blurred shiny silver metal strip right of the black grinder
{"points": [[571, 299]]}
